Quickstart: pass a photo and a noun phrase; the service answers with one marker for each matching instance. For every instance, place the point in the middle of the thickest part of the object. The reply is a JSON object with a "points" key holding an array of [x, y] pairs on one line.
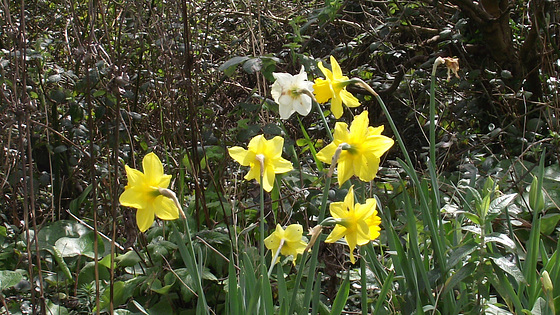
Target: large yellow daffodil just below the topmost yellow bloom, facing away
{"points": [[362, 146]]}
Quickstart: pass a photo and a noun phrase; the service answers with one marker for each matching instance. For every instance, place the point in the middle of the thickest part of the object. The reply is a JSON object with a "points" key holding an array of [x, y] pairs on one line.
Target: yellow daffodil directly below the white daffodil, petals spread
{"points": [[267, 153]]}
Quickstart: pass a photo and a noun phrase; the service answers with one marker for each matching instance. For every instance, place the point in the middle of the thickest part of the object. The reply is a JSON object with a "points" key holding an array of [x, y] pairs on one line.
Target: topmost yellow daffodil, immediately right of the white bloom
{"points": [[334, 87]]}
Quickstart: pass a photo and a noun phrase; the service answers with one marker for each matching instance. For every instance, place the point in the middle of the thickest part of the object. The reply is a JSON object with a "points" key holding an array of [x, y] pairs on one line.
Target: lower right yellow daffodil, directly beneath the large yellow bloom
{"points": [[357, 223]]}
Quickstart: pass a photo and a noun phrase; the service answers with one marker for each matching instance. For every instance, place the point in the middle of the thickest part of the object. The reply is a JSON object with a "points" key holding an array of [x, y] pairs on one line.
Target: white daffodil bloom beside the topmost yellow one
{"points": [[291, 93]]}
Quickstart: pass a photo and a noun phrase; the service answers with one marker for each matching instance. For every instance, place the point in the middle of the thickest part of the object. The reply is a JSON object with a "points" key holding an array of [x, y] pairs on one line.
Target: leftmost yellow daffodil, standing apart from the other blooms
{"points": [[144, 192]]}
